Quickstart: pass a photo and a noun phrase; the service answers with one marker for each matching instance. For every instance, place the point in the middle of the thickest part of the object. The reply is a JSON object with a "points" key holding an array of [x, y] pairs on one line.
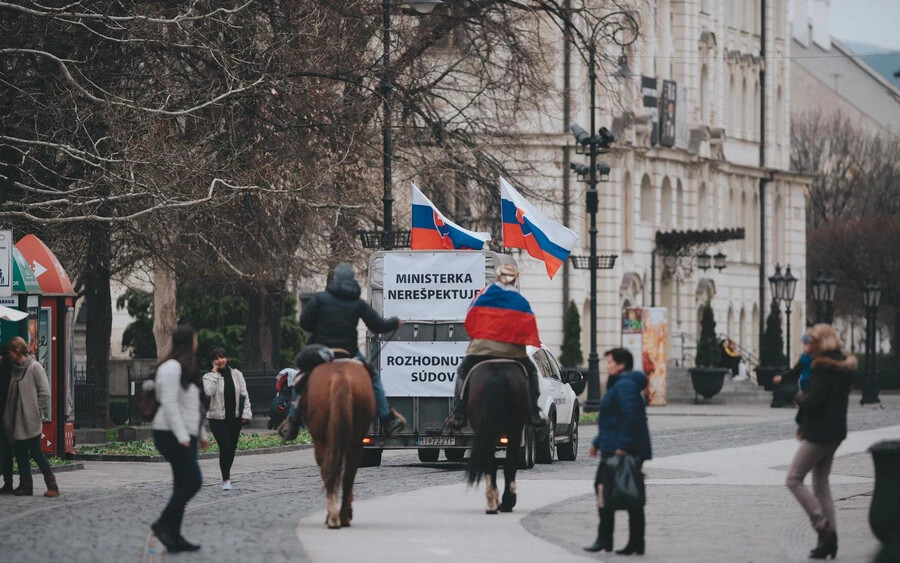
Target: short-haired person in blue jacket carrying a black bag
{"points": [[622, 425]]}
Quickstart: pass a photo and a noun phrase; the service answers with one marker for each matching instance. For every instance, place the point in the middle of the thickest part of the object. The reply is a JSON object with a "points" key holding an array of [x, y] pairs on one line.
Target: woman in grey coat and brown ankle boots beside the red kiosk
{"points": [[26, 409]]}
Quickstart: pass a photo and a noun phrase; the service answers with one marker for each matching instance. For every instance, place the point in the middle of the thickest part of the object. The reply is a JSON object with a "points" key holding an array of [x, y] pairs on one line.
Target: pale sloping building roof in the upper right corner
{"points": [[852, 79]]}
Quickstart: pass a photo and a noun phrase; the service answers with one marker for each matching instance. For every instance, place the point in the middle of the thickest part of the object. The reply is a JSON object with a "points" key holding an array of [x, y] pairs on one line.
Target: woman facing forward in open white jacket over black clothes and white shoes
{"points": [[229, 408]]}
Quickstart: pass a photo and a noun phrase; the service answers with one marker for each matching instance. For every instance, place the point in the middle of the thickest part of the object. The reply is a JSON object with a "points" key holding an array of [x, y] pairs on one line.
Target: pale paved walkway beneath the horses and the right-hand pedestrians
{"points": [[722, 505]]}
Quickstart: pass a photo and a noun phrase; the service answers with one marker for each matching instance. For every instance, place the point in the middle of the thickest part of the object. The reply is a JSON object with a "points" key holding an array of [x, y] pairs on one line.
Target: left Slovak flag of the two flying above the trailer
{"points": [[432, 231]]}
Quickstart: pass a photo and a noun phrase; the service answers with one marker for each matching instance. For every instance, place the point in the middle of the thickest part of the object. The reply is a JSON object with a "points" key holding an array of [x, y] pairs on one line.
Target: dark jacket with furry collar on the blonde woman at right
{"points": [[823, 408]]}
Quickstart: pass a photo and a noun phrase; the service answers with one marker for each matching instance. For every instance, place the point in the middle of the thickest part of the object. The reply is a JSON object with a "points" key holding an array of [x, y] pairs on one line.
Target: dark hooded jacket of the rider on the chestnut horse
{"points": [[331, 316]]}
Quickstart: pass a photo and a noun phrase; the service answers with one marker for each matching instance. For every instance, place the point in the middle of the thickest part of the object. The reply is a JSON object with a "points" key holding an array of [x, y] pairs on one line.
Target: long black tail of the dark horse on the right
{"points": [[490, 425]]}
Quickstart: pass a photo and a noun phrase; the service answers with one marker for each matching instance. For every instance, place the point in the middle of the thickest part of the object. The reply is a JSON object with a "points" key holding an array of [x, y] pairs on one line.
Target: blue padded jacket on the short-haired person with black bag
{"points": [[622, 420]]}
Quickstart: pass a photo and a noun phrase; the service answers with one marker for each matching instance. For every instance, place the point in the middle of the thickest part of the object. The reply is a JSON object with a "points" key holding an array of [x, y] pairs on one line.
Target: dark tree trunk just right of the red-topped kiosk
{"points": [[98, 300]]}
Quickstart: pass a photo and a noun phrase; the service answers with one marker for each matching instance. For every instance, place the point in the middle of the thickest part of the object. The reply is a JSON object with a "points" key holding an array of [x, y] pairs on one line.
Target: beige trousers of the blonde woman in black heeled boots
{"points": [[818, 504]]}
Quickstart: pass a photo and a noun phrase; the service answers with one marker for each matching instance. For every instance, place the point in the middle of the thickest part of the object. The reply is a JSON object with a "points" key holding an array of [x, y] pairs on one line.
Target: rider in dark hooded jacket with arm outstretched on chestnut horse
{"points": [[331, 317]]}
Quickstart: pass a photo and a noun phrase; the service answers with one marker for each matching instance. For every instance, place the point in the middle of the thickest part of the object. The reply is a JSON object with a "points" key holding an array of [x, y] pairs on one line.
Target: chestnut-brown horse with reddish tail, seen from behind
{"points": [[338, 407]]}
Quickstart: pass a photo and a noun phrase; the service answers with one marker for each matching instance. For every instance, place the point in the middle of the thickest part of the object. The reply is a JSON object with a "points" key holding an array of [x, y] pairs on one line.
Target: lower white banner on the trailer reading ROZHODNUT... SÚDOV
{"points": [[421, 369]]}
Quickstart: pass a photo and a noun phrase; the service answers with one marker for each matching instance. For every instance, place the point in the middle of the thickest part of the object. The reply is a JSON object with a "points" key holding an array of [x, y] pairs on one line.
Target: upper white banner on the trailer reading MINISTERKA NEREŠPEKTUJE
{"points": [[428, 286]]}
